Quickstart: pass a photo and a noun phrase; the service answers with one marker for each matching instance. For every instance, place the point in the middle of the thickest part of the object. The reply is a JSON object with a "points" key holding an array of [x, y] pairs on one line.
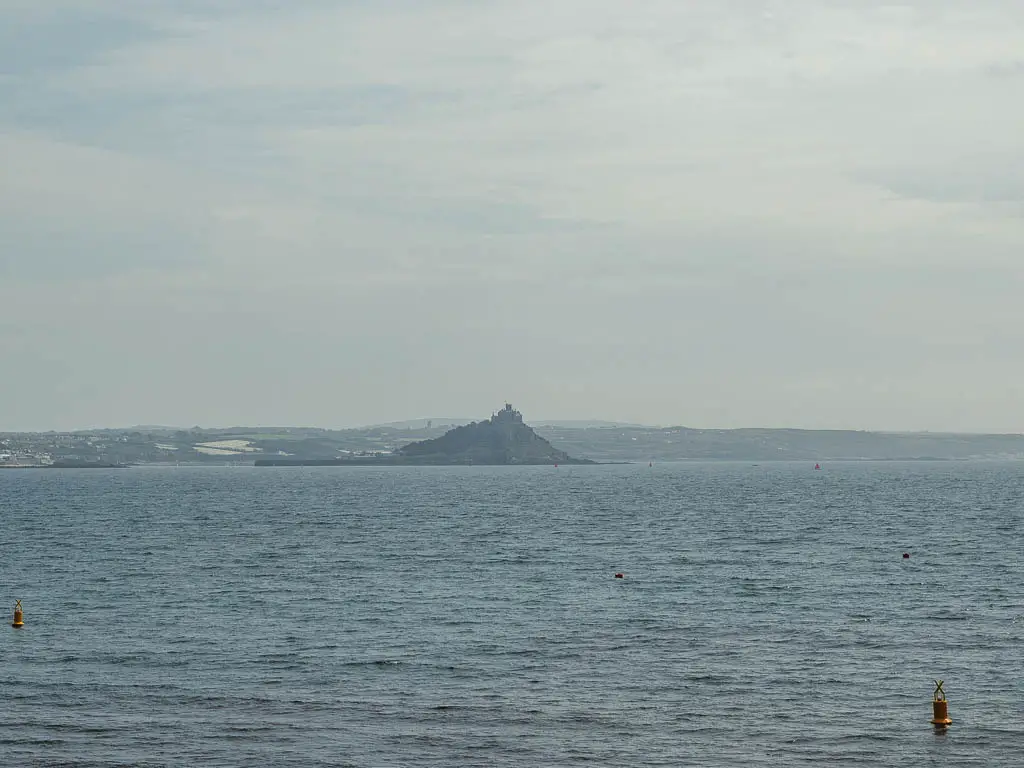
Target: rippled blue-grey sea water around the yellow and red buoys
{"points": [[470, 617]]}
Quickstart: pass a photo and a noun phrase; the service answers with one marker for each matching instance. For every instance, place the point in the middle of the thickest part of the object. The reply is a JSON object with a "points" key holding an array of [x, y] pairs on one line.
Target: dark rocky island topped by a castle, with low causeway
{"points": [[502, 440]]}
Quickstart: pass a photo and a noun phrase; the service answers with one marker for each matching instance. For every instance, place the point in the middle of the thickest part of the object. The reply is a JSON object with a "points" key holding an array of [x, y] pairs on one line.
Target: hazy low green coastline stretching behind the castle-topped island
{"points": [[381, 446]]}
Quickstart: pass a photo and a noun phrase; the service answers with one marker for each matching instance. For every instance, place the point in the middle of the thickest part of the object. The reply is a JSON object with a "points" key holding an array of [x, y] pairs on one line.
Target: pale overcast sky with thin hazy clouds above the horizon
{"points": [[803, 214]]}
